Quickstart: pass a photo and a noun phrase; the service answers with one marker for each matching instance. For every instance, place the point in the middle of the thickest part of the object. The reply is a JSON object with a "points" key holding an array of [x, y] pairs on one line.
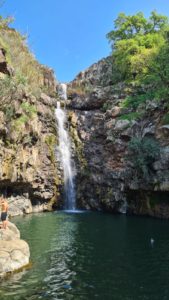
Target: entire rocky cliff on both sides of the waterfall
{"points": [[120, 137]]}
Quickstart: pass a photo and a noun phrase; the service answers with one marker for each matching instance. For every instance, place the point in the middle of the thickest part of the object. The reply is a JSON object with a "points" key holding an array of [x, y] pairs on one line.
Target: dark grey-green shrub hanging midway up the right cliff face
{"points": [[142, 153]]}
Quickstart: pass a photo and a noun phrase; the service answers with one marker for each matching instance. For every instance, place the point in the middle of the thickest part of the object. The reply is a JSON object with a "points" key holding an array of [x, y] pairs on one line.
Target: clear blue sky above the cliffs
{"points": [[69, 35]]}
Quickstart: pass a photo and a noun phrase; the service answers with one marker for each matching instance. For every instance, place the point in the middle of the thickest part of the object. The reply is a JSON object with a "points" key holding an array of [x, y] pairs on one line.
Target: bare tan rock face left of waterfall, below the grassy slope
{"points": [[28, 168]]}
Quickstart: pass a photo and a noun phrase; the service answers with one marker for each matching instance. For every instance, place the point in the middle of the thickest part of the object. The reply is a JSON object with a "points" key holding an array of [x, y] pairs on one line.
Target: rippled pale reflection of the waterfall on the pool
{"points": [[60, 275]]}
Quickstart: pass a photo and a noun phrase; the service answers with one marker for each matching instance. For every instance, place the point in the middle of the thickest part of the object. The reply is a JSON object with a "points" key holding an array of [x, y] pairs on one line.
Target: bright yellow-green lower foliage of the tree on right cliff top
{"points": [[133, 57]]}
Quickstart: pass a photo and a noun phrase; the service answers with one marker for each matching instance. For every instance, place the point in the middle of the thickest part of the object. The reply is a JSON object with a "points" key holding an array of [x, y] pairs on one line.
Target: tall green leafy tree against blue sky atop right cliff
{"points": [[136, 41]]}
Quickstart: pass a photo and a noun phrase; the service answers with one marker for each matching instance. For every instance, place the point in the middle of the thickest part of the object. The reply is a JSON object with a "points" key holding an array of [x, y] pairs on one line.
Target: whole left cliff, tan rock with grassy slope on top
{"points": [[29, 176]]}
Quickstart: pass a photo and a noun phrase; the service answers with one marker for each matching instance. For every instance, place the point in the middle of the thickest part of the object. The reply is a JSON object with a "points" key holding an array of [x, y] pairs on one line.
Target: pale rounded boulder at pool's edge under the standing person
{"points": [[14, 252]]}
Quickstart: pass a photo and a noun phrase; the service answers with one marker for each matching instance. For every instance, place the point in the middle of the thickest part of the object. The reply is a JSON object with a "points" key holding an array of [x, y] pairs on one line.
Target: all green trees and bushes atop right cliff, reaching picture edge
{"points": [[140, 53]]}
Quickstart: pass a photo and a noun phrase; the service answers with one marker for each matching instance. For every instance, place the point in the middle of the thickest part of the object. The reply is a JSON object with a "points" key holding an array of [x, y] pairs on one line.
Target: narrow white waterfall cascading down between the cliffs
{"points": [[65, 158]]}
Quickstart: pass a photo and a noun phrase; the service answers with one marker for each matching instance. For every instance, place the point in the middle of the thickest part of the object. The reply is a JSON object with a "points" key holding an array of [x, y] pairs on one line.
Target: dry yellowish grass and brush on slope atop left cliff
{"points": [[26, 72]]}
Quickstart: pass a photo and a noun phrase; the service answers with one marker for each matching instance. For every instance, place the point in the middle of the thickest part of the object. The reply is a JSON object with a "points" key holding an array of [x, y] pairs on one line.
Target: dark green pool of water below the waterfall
{"points": [[92, 256]]}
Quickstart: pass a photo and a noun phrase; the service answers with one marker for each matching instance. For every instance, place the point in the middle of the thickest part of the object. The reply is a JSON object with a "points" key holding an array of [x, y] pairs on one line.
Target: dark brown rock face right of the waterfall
{"points": [[100, 130]]}
